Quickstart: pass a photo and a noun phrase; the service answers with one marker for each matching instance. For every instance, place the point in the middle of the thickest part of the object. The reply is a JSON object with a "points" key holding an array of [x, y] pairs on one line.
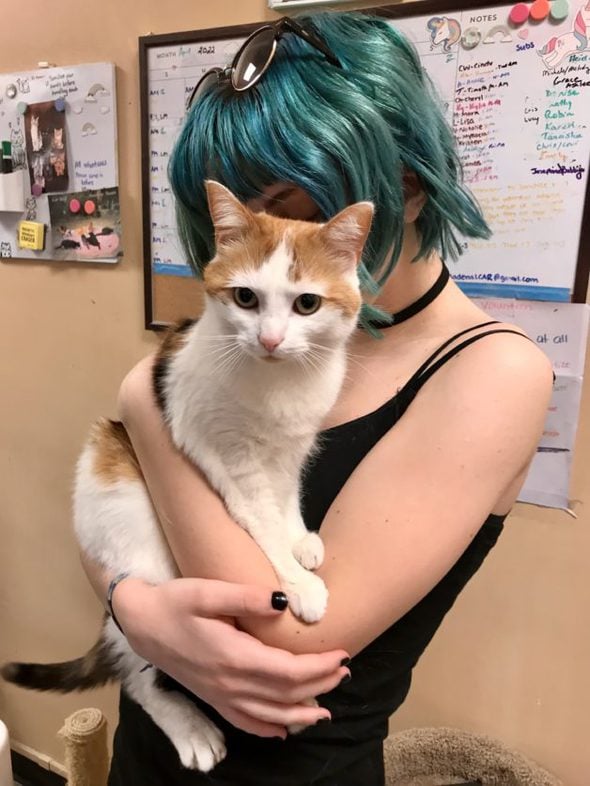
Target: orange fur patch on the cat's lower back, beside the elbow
{"points": [[114, 457]]}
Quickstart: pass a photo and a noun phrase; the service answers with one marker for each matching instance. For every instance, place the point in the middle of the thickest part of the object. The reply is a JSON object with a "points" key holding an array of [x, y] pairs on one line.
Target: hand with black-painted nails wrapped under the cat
{"points": [[185, 627]]}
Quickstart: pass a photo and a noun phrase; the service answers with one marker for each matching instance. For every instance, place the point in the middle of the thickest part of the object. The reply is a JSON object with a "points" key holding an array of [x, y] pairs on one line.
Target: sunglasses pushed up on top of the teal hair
{"points": [[254, 57]]}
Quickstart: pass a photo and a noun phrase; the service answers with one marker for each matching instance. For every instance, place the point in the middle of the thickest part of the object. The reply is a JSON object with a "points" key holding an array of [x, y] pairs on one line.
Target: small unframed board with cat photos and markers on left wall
{"points": [[61, 126]]}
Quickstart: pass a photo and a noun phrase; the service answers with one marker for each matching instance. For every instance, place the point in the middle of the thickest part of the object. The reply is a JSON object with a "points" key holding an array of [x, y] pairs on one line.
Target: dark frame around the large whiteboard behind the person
{"points": [[397, 11]]}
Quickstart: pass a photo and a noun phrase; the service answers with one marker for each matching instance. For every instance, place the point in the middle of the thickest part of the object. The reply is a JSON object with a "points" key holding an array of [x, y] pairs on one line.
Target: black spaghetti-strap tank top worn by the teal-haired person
{"points": [[347, 752]]}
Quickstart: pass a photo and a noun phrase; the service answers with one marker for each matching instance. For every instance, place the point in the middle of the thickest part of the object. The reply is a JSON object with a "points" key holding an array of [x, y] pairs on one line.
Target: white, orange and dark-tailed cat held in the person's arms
{"points": [[244, 391]]}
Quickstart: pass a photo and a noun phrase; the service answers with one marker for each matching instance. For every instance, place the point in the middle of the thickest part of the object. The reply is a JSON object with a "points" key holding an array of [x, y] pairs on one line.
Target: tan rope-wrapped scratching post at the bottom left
{"points": [[85, 737]]}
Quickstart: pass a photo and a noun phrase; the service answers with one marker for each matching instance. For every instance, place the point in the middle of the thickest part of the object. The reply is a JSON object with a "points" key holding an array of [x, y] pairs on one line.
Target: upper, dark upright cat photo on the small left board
{"points": [[45, 138]]}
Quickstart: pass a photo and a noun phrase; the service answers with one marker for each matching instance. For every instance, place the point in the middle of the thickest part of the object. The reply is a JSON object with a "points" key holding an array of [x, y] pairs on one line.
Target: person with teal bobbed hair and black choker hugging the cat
{"points": [[421, 459]]}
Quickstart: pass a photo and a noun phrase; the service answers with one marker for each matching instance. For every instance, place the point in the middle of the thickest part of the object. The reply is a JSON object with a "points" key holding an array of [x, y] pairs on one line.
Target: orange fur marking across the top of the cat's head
{"points": [[312, 259]]}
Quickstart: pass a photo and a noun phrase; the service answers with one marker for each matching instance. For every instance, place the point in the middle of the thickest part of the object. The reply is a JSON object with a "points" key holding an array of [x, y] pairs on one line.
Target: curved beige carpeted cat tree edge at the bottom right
{"points": [[441, 757]]}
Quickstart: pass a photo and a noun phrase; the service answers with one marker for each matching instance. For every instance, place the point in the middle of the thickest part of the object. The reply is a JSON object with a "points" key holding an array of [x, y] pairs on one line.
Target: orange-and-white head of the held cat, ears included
{"points": [[285, 289]]}
